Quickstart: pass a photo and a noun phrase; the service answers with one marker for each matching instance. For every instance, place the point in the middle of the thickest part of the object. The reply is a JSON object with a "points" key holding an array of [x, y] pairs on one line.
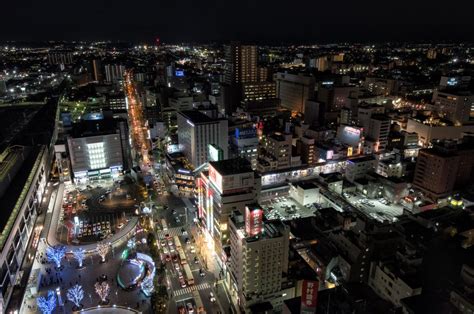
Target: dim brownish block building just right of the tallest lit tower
{"points": [[293, 90]]}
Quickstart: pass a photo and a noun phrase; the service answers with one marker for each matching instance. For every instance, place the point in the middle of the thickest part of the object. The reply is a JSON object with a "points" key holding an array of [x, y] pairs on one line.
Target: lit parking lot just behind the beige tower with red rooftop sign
{"points": [[286, 208]]}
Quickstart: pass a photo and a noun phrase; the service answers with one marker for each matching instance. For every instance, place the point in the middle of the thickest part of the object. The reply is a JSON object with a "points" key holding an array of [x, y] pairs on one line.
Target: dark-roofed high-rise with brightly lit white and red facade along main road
{"points": [[228, 185]]}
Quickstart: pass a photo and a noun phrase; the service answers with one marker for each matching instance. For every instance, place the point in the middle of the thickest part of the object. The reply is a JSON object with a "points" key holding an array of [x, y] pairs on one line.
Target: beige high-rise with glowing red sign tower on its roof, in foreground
{"points": [[259, 258]]}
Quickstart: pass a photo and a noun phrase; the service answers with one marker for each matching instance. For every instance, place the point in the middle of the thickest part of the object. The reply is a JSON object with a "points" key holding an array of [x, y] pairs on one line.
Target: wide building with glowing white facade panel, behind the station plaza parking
{"points": [[98, 148]]}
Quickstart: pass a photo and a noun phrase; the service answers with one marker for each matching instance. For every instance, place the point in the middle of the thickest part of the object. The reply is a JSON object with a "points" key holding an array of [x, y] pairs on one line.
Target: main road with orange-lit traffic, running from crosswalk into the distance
{"points": [[179, 214]]}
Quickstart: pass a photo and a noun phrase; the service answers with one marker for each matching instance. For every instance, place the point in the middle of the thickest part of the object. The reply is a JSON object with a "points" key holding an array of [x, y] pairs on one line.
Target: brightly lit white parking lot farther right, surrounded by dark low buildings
{"points": [[379, 209]]}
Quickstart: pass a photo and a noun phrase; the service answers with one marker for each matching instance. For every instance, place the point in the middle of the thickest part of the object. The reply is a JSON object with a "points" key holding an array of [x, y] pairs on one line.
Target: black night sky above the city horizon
{"points": [[270, 21]]}
